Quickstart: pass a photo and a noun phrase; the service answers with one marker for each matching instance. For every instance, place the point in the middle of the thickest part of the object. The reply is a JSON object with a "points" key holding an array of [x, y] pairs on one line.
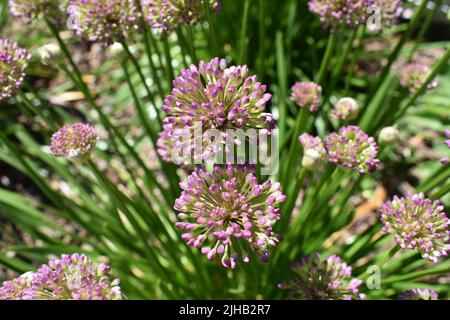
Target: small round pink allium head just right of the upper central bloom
{"points": [[307, 95]]}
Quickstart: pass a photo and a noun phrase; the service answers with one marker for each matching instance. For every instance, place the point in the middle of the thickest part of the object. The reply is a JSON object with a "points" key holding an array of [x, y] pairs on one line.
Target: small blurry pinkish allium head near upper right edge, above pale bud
{"points": [[412, 76]]}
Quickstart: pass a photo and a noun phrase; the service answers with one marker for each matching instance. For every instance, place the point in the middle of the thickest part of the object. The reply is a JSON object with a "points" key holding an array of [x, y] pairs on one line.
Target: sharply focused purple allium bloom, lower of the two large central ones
{"points": [[226, 212]]}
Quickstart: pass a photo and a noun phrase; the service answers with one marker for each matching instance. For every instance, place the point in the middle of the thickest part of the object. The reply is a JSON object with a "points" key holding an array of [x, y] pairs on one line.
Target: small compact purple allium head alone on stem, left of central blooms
{"points": [[74, 141]]}
